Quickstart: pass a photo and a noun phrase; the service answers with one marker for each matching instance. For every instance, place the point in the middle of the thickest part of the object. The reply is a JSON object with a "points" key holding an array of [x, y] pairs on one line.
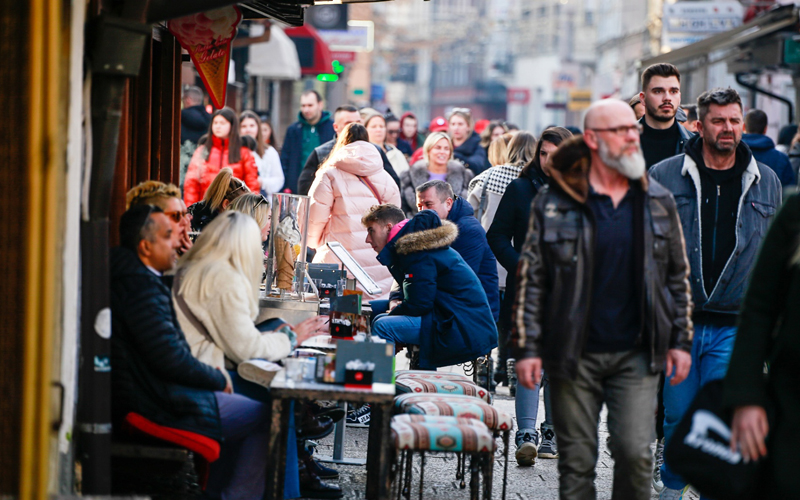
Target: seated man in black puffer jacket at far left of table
{"points": [[155, 374]]}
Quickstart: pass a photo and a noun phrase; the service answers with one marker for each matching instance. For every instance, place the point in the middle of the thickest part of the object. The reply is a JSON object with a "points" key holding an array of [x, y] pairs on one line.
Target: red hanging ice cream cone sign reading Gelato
{"points": [[207, 37]]}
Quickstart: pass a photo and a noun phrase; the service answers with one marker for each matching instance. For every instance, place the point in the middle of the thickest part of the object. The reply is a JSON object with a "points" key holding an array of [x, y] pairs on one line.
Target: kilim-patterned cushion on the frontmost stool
{"points": [[442, 435]]}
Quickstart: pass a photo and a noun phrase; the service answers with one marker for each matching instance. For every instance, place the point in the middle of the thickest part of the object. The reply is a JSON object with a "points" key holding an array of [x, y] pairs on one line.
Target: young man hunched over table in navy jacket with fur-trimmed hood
{"points": [[444, 309]]}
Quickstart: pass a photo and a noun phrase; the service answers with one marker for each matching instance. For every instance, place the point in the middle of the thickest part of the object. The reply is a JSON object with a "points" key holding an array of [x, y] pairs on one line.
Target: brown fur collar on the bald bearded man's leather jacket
{"points": [[570, 165]]}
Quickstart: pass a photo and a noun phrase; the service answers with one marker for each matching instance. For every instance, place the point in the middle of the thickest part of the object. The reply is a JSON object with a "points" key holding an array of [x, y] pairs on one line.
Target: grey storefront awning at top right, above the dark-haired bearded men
{"points": [[725, 45]]}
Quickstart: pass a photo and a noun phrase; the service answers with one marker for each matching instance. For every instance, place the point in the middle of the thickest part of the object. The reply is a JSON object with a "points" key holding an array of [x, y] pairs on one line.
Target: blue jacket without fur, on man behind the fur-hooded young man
{"points": [[473, 247]]}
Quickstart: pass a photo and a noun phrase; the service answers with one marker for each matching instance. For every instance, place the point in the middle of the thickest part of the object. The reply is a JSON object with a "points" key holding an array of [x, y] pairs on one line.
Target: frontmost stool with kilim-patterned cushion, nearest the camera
{"points": [[463, 436]]}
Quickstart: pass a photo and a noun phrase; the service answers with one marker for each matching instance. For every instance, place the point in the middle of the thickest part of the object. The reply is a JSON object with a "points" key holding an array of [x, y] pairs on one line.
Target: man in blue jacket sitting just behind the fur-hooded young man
{"points": [[471, 242]]}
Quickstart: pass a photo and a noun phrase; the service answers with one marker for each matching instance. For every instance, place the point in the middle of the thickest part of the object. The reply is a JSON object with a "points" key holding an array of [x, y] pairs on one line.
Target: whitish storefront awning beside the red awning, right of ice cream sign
{"points": [[276, 59]]}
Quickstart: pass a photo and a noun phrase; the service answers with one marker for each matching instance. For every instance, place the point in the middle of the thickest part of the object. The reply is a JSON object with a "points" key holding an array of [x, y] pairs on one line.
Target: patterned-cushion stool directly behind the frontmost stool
{"points": [[451, 405]]}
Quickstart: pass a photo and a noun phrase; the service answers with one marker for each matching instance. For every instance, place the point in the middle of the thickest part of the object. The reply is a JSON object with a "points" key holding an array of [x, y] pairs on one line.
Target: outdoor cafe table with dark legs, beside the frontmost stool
{"points": [[379, 446]]}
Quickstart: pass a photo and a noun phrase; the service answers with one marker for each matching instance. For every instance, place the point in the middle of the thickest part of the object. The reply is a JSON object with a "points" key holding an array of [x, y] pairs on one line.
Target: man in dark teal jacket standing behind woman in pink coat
{"points": [[312, 128]]}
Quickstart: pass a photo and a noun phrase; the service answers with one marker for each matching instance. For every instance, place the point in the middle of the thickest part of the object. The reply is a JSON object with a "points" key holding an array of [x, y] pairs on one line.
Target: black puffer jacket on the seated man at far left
{"points": [[154, 373]]}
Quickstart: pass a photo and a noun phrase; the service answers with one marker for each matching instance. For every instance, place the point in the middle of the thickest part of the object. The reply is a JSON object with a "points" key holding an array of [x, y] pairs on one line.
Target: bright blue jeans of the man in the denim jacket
{"points": [[711, 352]]}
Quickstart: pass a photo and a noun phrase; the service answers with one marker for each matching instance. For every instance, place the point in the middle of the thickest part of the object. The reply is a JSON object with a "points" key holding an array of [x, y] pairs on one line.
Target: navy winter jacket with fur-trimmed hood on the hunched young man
{"points": [[439, 287]]}
